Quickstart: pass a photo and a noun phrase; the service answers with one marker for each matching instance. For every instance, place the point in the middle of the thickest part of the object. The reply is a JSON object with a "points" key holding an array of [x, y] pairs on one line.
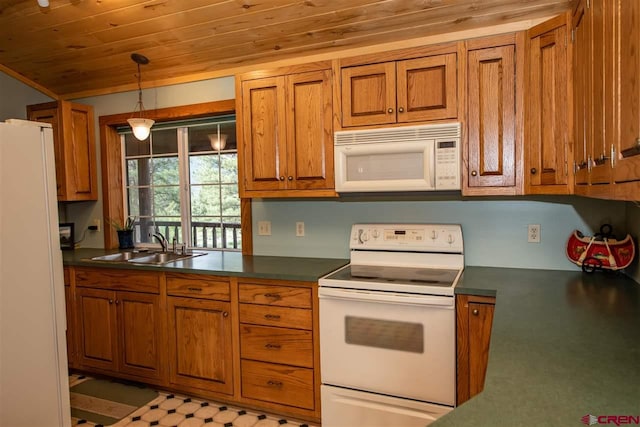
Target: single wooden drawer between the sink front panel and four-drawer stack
{"points": [[197, 286]]}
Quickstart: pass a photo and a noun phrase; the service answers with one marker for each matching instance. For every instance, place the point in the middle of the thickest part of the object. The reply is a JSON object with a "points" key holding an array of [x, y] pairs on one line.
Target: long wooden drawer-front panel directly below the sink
{"points": [[118, 280]]}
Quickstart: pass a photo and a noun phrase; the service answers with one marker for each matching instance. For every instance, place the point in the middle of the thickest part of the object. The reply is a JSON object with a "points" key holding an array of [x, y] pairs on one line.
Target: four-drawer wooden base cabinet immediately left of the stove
{"points": [[279, 348]]}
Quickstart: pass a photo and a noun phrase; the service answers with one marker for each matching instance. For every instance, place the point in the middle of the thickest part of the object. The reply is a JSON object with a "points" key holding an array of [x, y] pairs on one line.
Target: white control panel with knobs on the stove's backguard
{"points": [[407, 237]]}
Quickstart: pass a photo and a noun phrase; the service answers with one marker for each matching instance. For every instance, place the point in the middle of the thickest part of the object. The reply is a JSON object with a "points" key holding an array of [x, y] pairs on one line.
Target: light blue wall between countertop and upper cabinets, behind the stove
{"points": [[495, 231]]}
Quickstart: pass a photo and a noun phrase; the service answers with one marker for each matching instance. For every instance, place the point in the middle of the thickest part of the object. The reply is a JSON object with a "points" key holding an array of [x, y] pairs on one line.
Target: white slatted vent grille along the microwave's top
{"points": [[398, 134]]}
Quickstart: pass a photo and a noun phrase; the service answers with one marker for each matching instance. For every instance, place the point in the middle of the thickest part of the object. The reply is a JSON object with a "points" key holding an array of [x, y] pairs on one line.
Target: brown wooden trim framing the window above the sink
{"points": [[111, 162]]}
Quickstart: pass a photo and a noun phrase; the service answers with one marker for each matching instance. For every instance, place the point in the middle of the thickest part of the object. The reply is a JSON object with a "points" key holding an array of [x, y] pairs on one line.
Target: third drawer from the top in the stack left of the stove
{"points": [[277, 345]]}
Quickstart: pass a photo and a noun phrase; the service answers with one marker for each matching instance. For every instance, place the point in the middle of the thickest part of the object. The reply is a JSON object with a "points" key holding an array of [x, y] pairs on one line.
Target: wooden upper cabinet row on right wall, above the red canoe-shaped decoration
{"points": [[606, 96]]}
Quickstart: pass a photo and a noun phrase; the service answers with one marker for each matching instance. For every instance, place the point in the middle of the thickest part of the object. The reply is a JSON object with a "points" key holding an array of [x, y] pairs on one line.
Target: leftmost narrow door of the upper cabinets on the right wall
{"points": [[582, 93]]}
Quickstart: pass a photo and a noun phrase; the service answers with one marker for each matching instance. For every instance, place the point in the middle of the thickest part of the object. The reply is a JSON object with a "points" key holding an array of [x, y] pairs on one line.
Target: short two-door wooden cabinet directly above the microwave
{"points": [[412, 90]]}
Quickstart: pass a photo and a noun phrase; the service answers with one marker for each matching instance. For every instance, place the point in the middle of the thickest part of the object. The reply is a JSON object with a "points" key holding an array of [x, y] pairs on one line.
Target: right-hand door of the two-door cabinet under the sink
{"points": [[140, 328]]}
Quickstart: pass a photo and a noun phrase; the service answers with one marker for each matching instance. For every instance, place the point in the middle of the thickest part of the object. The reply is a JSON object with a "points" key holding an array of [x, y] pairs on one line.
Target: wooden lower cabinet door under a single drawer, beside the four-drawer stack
{"points": [[200, 344]]}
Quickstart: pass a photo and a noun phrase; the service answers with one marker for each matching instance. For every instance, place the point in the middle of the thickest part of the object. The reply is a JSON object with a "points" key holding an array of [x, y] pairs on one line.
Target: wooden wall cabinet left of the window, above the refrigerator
{"points": [[75, 150]]}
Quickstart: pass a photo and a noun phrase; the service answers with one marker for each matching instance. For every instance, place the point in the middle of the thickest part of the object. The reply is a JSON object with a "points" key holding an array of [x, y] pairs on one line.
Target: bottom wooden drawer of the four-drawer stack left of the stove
{"points": [[285, 385]]}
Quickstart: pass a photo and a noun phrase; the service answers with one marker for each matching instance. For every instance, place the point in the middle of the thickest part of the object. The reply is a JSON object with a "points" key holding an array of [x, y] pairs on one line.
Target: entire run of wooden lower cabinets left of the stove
{"points": [[252, 342]]}
